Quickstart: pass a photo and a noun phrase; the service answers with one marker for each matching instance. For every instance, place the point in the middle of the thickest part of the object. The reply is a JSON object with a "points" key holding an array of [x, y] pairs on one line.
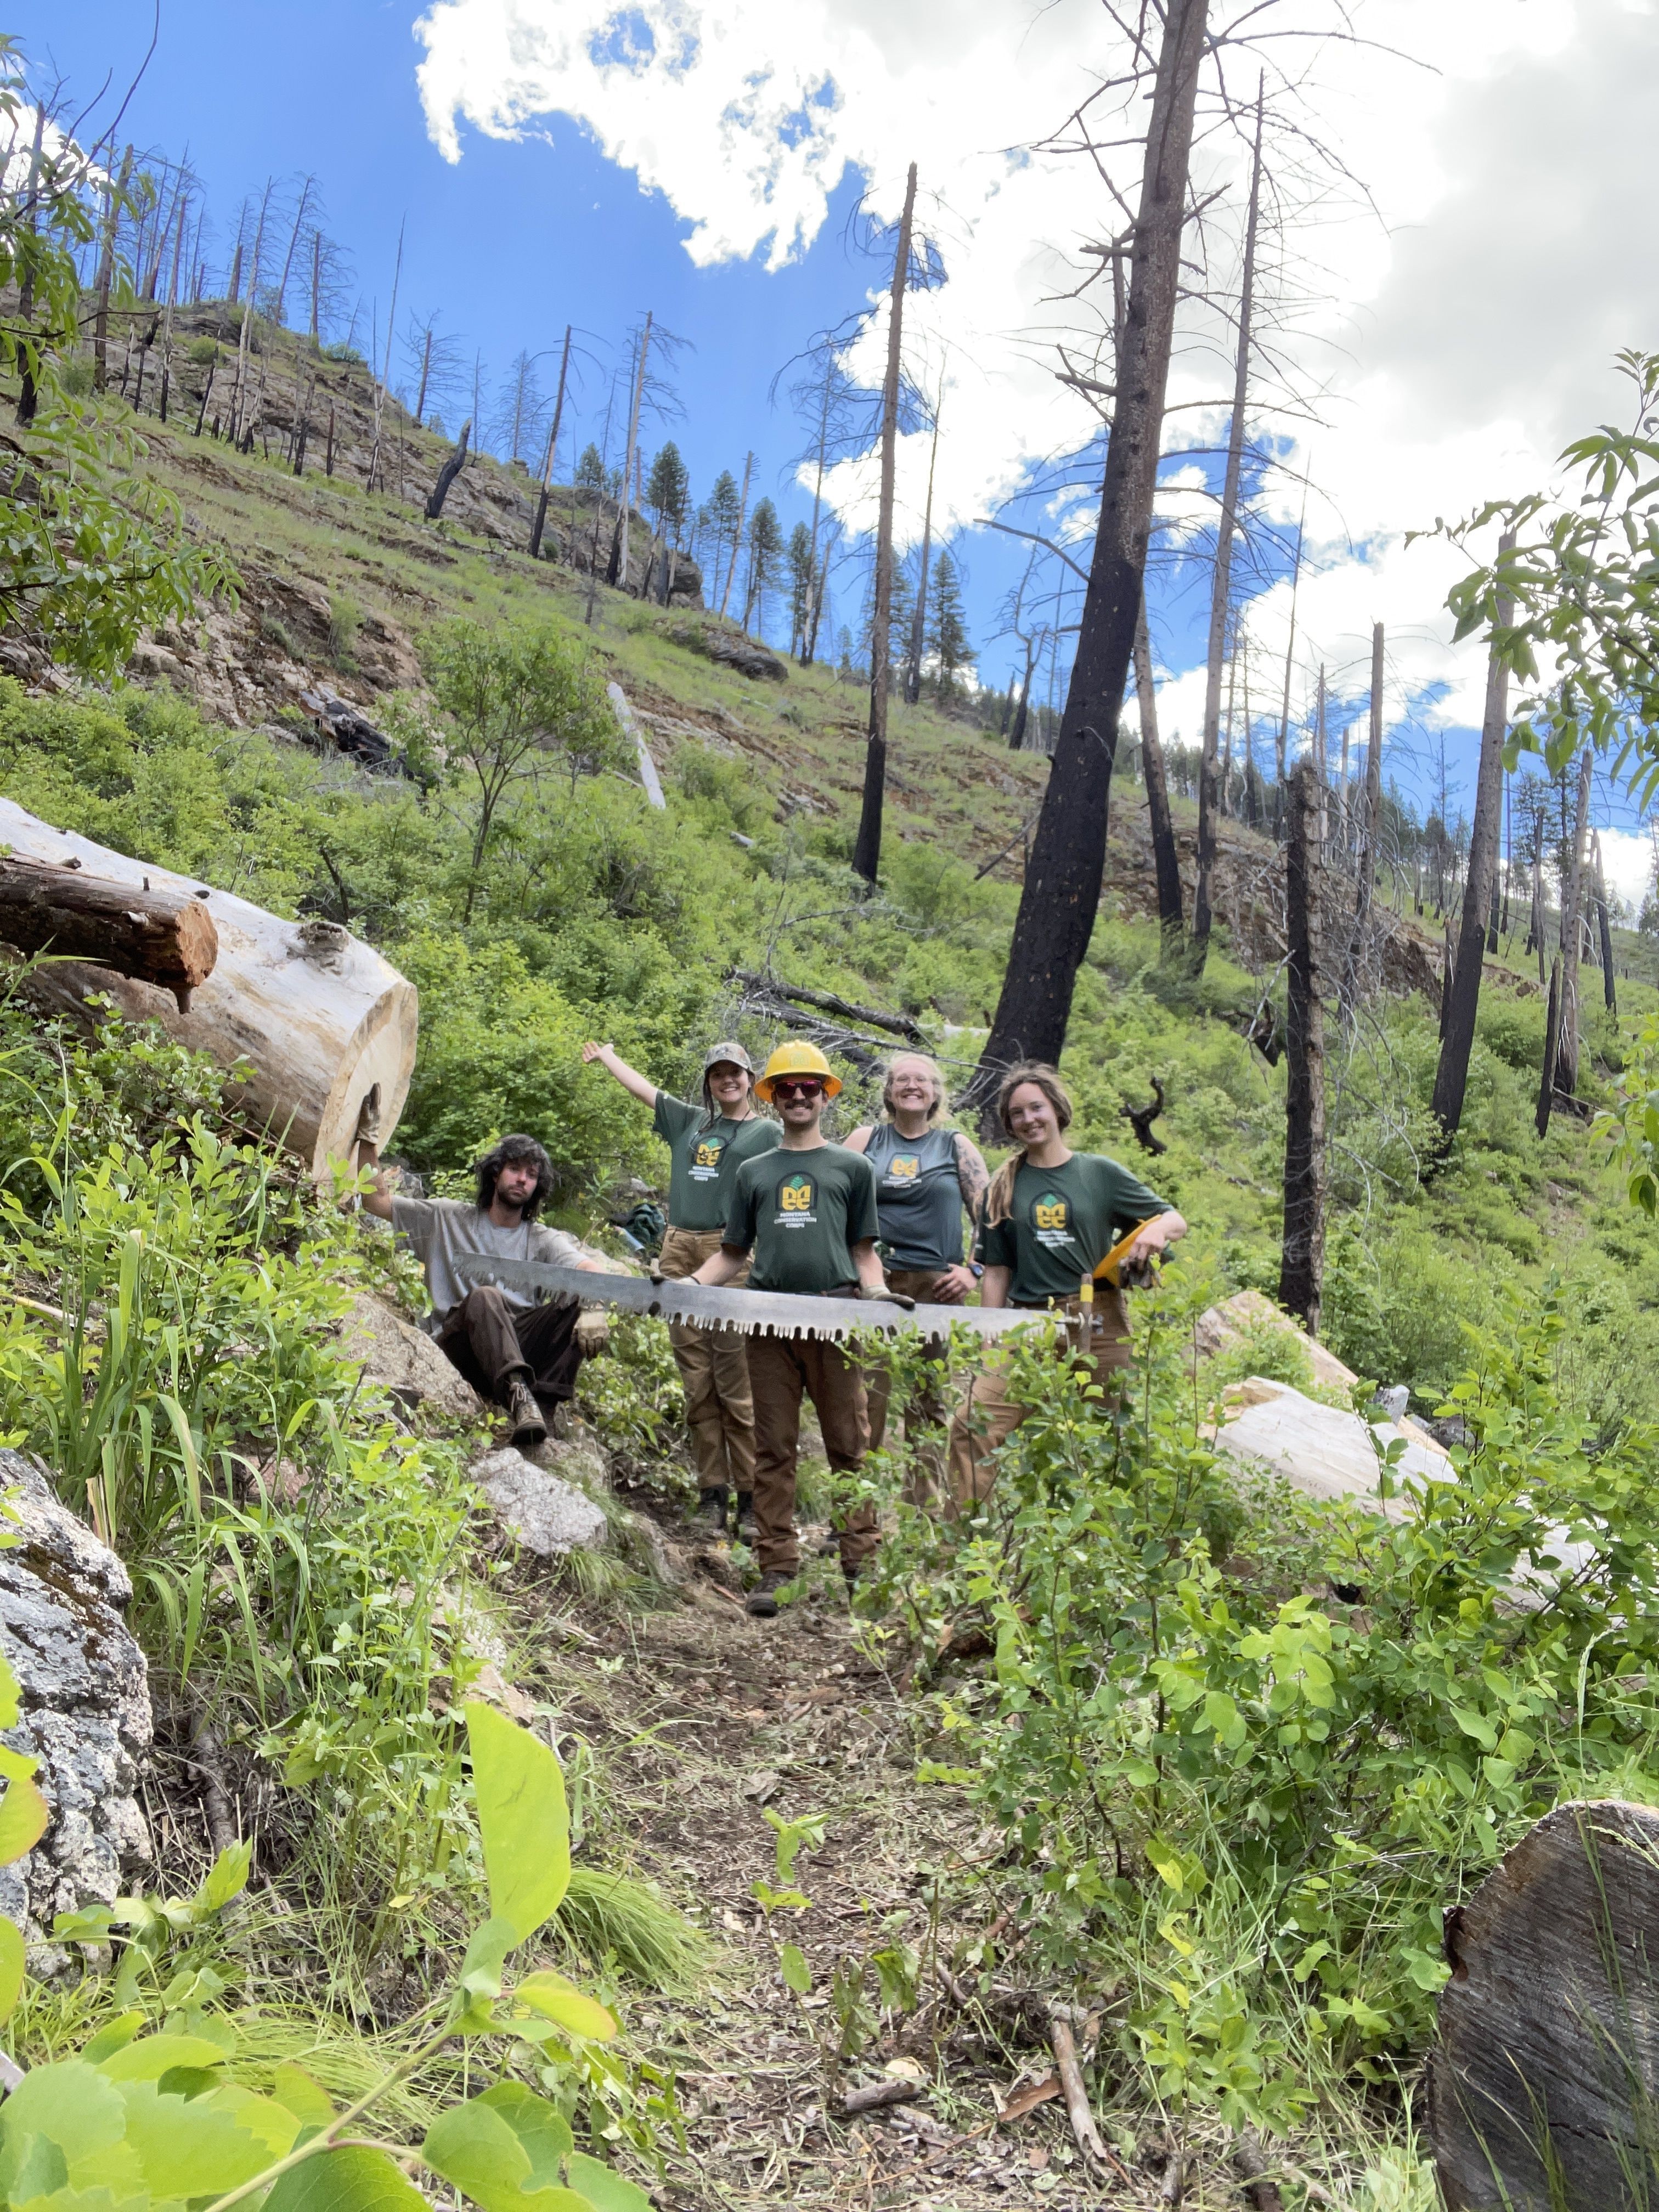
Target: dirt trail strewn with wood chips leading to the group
{"points": [[700, 1720]]}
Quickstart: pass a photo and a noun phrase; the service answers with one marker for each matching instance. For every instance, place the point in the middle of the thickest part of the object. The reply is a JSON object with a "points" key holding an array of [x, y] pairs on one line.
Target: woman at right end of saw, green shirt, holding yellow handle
{"points": [[1052, 1218]]}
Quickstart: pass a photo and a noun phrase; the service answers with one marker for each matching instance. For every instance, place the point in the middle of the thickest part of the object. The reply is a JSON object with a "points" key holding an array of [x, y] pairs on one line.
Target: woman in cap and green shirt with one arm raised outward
{"points": [[707, 1145]]}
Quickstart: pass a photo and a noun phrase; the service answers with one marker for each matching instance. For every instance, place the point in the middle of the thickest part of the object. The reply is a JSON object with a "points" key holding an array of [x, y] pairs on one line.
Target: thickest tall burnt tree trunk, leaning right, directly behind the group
{"points": [[1070, 855]]}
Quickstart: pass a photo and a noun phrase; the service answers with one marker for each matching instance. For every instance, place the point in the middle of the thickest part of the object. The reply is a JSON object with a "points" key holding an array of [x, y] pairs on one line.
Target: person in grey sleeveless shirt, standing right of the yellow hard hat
{"points": [[928, 1180]]}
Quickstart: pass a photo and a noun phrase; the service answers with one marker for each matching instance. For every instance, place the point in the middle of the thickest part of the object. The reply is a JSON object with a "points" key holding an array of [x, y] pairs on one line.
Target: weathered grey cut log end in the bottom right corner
{"points": [[1545, 2085]]}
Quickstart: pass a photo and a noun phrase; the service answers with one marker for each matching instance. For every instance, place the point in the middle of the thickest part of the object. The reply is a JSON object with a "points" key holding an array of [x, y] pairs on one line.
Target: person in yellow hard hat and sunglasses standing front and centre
{"points": [[808, 1215]]}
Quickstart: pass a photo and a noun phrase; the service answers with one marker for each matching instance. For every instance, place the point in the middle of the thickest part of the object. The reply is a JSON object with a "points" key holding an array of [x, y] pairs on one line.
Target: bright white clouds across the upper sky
{"points": [[1463, 337]]}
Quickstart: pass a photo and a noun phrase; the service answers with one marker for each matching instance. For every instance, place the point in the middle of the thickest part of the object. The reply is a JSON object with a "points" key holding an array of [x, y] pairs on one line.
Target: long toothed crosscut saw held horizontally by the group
{"points": [[751, 1313]]}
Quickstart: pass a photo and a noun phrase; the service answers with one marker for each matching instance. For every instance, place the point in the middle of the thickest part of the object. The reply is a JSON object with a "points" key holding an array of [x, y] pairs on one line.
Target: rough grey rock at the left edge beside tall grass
{"points": [[85, 1707]]}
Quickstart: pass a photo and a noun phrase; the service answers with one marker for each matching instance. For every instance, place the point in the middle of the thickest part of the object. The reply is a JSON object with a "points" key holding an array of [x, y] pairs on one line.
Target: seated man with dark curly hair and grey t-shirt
{"points": [[512, 1350]]}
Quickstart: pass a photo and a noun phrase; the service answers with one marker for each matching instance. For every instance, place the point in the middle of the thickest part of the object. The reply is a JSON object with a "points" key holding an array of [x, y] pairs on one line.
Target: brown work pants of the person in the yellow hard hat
{"points": [[782, 1370]]}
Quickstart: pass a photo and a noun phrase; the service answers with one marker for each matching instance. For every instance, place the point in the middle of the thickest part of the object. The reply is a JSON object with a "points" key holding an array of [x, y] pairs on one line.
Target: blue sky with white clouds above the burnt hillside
{"points": [[589, 222]]}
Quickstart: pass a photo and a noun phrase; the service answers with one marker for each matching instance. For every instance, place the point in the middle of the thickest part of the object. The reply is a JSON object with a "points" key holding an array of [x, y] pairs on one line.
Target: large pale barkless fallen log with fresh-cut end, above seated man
{"points": [[322, 1021]]}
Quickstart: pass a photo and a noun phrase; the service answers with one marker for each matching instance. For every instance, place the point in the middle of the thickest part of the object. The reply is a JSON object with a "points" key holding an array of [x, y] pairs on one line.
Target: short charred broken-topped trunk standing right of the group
{"points": [[1302, 1271]]}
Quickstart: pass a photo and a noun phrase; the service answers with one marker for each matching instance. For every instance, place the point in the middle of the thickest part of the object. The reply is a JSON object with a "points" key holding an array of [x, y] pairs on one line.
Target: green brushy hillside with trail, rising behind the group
{"points": [[983, 1822]]}
